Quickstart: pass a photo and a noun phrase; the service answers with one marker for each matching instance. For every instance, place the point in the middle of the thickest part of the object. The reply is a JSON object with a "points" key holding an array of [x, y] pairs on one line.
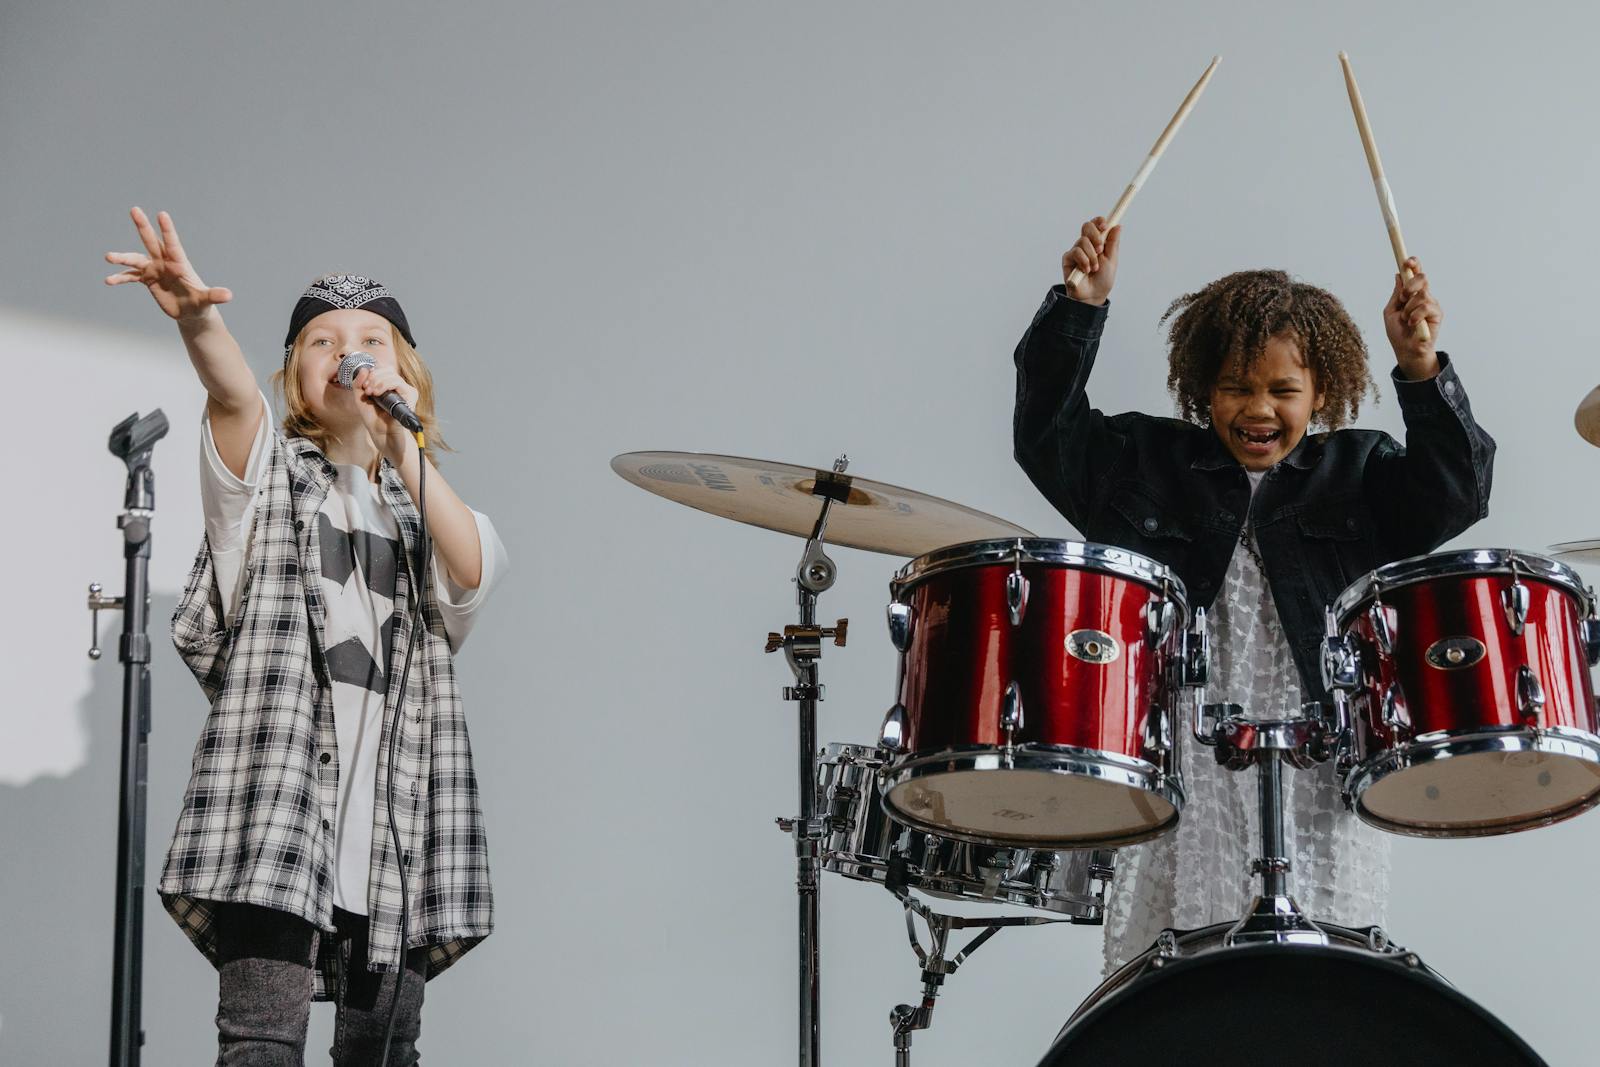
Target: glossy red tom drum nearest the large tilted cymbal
{"points": [[1034, 698]]}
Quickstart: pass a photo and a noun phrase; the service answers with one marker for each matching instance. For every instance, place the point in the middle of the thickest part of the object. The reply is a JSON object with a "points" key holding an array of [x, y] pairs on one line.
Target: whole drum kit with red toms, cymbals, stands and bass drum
{"points": [[1044, 690]]}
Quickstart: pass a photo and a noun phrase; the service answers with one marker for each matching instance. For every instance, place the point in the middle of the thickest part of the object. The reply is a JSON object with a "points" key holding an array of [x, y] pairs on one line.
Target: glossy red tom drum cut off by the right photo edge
{"points": [[1468, 693]]}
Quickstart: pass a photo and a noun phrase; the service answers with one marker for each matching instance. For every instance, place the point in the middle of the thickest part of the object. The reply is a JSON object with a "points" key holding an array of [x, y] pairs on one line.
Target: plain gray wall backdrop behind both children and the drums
{"points": [[764, 230]]}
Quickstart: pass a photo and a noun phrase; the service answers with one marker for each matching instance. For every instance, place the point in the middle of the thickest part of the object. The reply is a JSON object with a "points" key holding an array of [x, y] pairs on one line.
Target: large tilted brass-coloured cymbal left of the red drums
{"points": [[780, 497]]}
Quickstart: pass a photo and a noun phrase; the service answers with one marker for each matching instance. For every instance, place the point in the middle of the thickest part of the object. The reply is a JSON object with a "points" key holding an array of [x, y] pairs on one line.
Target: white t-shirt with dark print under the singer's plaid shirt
{"points": [[361, 548]]}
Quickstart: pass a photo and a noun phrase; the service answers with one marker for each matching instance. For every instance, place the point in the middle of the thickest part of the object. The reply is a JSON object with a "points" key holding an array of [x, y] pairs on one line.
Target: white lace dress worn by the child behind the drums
{"points": [[1199, 874]]}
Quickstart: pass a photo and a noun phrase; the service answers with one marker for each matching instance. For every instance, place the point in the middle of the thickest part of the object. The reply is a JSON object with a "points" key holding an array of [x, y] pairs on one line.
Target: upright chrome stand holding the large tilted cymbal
{"points": [[804, 649]]}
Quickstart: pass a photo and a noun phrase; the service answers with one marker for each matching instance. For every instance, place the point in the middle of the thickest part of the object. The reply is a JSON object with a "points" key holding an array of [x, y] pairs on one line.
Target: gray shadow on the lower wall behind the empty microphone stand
{"points": [[58, 871]]}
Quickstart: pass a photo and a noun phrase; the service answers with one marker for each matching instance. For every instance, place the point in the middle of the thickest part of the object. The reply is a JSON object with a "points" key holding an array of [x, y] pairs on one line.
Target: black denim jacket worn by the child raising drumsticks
{"points": [[1337, 508]]}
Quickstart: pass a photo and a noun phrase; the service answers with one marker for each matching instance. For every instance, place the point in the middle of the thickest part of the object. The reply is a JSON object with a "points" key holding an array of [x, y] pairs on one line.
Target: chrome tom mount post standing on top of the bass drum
{"points": [[1268, 745]]}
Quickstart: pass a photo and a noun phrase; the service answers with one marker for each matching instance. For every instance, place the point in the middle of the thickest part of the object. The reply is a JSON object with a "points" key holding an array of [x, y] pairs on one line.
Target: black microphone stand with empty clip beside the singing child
{"points": [[132, 441]]}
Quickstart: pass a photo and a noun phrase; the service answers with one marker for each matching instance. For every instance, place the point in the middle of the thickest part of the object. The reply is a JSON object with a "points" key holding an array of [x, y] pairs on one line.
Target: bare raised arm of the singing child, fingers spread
{"points": [[233, 394]]}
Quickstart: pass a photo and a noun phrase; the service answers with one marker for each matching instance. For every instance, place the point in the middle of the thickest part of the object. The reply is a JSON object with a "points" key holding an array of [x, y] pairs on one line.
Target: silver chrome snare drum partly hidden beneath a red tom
{"points": [[866, 844]]}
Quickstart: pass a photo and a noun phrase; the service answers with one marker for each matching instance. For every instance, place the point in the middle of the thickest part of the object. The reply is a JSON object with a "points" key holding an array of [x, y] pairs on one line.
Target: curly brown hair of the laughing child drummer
{"points": [[1236, 316]]}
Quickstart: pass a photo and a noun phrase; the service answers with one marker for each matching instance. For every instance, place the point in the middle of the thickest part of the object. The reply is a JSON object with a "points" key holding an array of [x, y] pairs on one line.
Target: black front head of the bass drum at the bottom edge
{"points": [[1271, 1005]]}
